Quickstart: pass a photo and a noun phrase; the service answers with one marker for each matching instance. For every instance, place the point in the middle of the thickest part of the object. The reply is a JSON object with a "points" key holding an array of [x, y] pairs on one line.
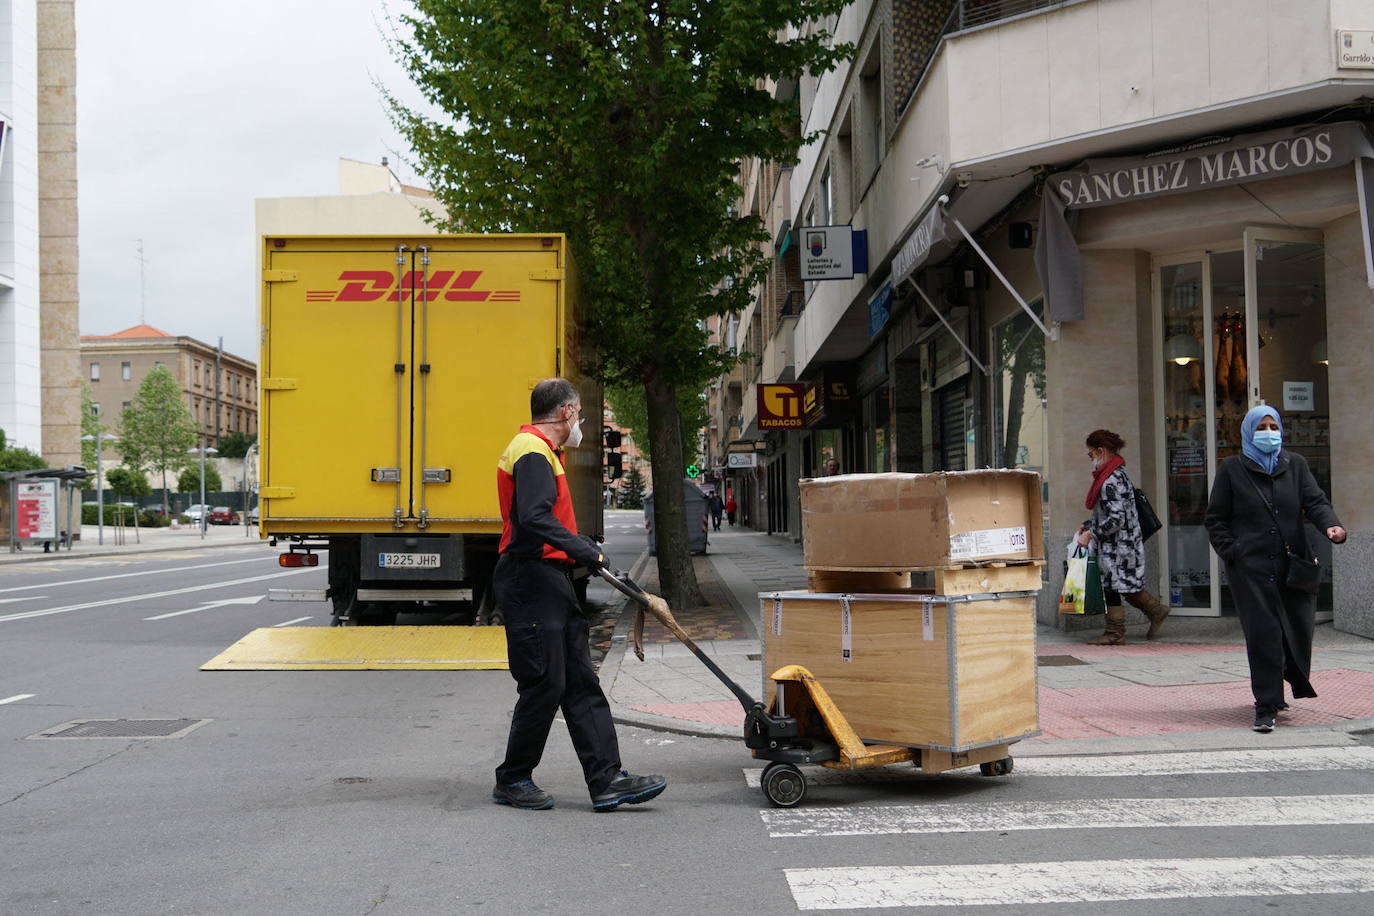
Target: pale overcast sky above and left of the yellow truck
{"points": [[190, 111]]}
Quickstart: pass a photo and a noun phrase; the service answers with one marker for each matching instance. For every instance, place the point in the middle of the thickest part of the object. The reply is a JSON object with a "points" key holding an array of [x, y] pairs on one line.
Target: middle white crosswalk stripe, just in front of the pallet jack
{"points": [[1289, 811]]}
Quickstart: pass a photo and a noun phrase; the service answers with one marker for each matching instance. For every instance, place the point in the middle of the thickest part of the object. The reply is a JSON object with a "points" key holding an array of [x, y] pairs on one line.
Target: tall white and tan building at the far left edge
{"points": [[41, 399]]}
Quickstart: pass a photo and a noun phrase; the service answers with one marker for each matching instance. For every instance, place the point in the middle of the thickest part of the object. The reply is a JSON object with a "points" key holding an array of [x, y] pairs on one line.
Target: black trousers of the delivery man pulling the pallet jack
{"points": [[548, 645]]}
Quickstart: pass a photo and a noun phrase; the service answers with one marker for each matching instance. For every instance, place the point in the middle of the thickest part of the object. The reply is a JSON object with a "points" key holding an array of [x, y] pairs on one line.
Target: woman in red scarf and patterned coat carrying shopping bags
{"points": [[1116, 531]]}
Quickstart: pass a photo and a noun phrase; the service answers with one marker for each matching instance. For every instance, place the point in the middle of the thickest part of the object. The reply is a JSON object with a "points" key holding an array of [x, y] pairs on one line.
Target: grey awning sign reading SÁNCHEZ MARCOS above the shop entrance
{"points": [[1211, 164]]}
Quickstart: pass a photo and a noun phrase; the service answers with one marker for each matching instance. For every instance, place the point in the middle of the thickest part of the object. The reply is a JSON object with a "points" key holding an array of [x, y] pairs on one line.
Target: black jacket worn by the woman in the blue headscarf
{"points": [[1240, 527]]}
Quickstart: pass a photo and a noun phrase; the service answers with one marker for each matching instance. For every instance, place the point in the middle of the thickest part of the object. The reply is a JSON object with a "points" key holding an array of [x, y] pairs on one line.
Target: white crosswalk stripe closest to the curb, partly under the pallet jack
{"points": [[1240, 762]]}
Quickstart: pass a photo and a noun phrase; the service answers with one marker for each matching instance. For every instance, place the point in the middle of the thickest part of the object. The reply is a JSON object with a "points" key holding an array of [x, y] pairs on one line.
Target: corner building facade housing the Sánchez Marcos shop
{"points": [[1151, 234]]}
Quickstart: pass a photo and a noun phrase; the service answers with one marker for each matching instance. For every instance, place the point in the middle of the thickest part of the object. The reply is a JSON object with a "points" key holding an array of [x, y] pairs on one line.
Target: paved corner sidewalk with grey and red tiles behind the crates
{"points": [[1186, 691]]}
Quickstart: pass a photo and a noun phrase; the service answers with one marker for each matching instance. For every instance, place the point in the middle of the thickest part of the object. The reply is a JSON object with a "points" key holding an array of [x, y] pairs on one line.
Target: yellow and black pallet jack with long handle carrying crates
{"points": [[804, 724]]}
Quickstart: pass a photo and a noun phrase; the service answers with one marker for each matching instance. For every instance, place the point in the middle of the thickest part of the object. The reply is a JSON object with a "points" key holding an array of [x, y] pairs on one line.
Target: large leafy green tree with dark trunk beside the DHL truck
{"points": [[623, 126]]}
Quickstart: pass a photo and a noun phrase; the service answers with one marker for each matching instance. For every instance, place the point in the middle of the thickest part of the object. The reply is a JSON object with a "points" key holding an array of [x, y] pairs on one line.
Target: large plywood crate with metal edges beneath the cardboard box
{"points": [[925, 671]]}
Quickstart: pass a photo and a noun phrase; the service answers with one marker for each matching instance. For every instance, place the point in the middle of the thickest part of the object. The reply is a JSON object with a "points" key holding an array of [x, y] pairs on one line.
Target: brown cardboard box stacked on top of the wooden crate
{"points": [[910, 521]]}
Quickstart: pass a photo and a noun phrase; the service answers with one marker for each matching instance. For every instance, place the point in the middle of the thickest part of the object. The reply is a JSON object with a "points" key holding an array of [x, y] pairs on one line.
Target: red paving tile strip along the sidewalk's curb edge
{"points": [[1119, 712]]}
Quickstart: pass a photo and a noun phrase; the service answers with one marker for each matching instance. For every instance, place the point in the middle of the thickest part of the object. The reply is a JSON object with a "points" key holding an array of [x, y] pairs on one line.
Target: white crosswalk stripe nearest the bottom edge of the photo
{"points": [[1078, 882]]}
